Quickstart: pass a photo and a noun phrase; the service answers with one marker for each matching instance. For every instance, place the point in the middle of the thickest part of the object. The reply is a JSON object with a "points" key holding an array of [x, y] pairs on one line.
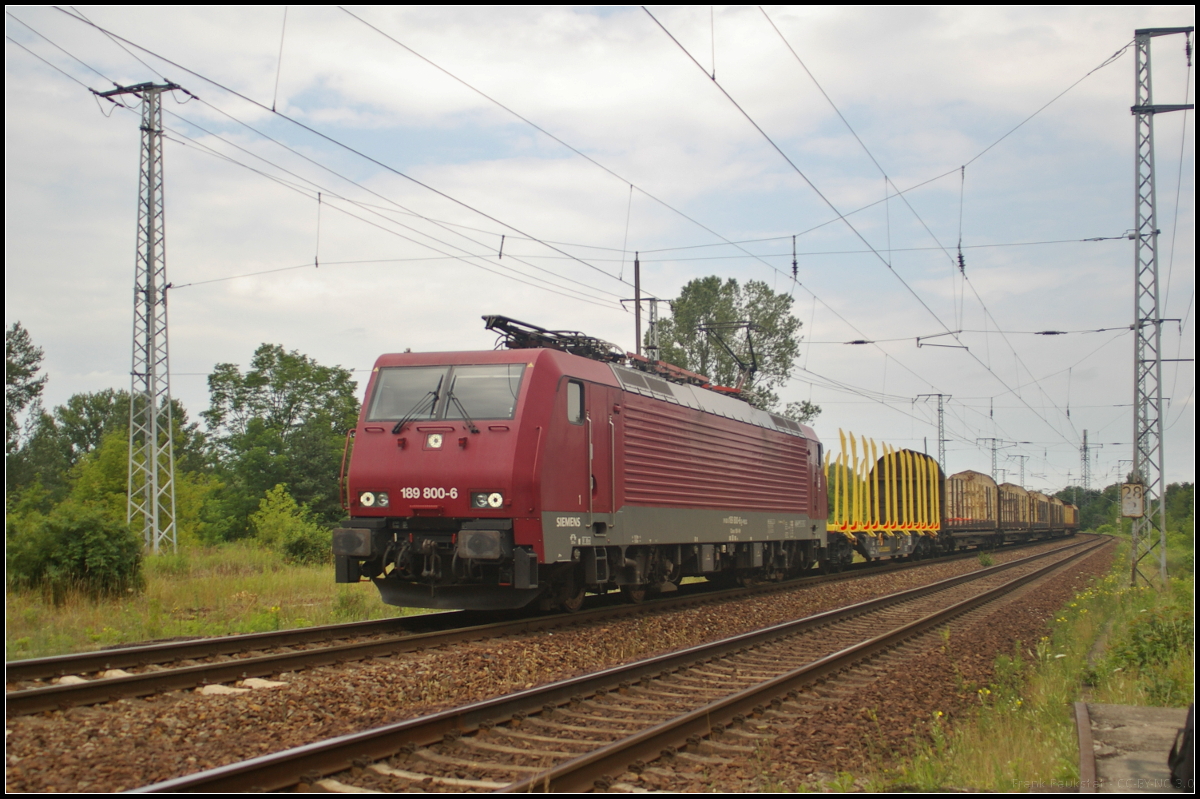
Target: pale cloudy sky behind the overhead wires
{"points": [[926, 89]]}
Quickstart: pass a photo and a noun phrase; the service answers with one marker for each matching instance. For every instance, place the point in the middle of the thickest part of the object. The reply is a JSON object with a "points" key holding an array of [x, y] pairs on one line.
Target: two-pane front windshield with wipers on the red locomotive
{"points": [[425, 393]]}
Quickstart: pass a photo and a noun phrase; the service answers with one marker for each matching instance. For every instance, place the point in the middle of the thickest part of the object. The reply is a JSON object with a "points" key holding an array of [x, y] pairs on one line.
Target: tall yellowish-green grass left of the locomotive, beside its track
{"points": [[200, 592]]}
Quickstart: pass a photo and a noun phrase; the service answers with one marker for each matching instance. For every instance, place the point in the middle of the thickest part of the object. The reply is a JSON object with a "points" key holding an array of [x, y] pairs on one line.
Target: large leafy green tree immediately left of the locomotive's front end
{"points": [[283, 422]]}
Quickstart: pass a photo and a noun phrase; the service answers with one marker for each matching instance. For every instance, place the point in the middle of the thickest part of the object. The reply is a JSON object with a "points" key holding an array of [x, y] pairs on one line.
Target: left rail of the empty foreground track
{"points": [[284, 770]]}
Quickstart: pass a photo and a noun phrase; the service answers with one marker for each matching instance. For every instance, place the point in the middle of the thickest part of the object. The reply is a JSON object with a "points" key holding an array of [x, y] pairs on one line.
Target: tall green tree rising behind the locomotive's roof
{"points": [[775, 337]]}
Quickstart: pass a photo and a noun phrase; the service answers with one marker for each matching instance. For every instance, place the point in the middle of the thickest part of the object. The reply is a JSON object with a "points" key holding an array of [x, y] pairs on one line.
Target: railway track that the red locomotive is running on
{"points": [[145, 671]]}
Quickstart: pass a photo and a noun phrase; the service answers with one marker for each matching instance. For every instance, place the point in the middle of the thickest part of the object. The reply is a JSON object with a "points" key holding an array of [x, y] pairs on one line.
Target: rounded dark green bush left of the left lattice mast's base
{"points": [[77, 548]]}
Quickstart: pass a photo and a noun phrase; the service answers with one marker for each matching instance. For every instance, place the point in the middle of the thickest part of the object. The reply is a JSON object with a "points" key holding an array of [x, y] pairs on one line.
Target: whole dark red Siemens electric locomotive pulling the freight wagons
{"points": [[561, 466]]}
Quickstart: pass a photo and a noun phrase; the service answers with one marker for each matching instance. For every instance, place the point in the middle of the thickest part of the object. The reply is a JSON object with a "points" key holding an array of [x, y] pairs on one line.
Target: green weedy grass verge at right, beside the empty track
{"points": [[1109, 645]]}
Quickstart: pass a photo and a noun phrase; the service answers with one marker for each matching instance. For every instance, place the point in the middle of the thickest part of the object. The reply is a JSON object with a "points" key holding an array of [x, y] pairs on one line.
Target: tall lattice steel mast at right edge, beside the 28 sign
{"points": [[1148, 395]]}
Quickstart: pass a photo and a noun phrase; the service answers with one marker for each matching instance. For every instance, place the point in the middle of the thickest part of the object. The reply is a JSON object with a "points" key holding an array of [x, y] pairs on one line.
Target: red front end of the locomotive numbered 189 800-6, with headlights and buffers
{"points": [[441, 515]]}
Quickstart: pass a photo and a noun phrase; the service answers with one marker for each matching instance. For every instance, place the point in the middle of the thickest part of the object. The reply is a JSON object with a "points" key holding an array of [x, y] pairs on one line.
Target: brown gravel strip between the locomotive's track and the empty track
{"points": [[133, 743]]}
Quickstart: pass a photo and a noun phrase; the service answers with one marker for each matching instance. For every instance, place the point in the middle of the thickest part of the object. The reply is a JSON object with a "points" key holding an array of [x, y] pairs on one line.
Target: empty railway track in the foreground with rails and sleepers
{"points": [[693, 707]]}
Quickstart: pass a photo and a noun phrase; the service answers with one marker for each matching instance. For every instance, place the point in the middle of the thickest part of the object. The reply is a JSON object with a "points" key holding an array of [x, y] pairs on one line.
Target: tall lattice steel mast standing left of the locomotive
{"points": [[152, 477]]}
